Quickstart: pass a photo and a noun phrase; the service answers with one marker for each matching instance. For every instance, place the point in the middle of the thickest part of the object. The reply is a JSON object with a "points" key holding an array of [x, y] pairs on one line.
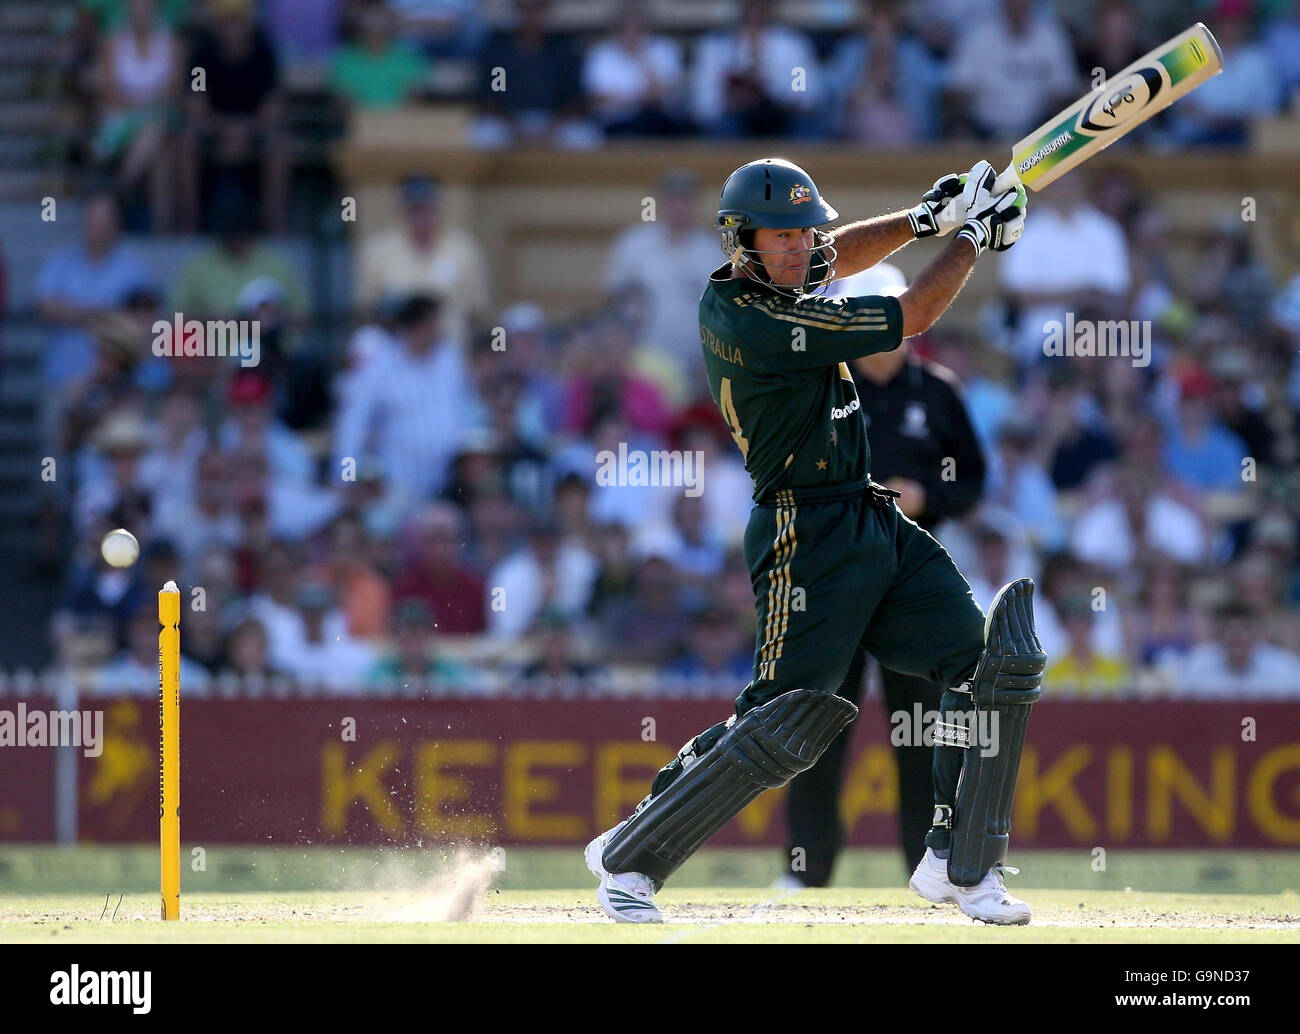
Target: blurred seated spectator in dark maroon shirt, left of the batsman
{"points": [[436, 576]]}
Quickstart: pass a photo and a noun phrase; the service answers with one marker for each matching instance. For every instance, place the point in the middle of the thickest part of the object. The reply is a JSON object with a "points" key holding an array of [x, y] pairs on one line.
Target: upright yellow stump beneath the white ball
{"points": [[170, 747]]}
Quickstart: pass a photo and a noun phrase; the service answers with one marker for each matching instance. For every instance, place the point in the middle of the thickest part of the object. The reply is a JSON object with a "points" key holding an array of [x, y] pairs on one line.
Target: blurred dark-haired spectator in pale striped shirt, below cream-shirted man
{"points": [[410, 408]]}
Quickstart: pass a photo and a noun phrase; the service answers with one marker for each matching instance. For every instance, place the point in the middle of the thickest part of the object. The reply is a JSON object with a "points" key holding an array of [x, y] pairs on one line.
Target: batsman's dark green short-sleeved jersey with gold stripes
{"points": [[778, 370]]}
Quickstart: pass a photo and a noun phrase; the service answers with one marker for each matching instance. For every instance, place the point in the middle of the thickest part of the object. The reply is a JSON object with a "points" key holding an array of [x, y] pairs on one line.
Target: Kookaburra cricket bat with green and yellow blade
{"points": [[1124, 102]]}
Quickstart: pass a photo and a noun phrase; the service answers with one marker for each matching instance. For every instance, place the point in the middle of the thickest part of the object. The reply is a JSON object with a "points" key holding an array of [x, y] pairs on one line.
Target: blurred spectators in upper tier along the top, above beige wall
{"points": [[885, 75]]}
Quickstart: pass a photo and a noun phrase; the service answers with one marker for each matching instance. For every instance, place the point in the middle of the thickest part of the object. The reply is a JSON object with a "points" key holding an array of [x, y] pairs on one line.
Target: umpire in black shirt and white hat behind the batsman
{"points": [[925, 448]]}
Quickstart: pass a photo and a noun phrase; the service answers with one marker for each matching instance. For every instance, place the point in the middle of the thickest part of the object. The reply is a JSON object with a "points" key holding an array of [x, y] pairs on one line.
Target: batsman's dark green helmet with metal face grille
{"points": [[775, 194]]}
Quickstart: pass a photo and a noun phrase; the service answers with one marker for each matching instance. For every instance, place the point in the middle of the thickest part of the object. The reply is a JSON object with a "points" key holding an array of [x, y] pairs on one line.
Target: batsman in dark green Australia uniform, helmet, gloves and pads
{"points": [[834, 563]]}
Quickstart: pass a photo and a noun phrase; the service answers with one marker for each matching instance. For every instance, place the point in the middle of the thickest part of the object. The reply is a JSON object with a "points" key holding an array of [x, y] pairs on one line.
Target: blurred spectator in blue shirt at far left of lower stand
{"points": [[83, 283]]}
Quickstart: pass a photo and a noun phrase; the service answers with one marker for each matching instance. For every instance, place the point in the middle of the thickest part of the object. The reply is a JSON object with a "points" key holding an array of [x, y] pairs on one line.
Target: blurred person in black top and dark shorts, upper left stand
{"points": [[236, 124]]}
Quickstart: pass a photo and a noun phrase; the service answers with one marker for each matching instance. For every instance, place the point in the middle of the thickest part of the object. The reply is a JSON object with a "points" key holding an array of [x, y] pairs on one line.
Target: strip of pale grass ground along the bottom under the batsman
{"points": [[110, 895]]}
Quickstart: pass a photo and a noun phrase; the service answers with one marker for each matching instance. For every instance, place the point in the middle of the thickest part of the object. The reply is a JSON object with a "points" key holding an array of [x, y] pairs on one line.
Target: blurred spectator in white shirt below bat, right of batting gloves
{"points": [[1074, 257]]}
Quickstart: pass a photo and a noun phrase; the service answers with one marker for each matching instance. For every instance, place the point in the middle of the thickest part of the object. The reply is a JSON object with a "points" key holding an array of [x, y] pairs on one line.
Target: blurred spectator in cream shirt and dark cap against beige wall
{"points": [[424, 256]]}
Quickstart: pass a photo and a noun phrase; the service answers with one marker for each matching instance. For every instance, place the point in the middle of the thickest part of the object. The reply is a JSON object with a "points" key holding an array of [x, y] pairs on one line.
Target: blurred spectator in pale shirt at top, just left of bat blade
{"points": [[1011, 72]]}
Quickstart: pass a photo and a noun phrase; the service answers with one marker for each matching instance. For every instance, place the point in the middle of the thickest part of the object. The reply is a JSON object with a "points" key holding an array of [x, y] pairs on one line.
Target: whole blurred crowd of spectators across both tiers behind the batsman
{"points": [[428, 514]]}
